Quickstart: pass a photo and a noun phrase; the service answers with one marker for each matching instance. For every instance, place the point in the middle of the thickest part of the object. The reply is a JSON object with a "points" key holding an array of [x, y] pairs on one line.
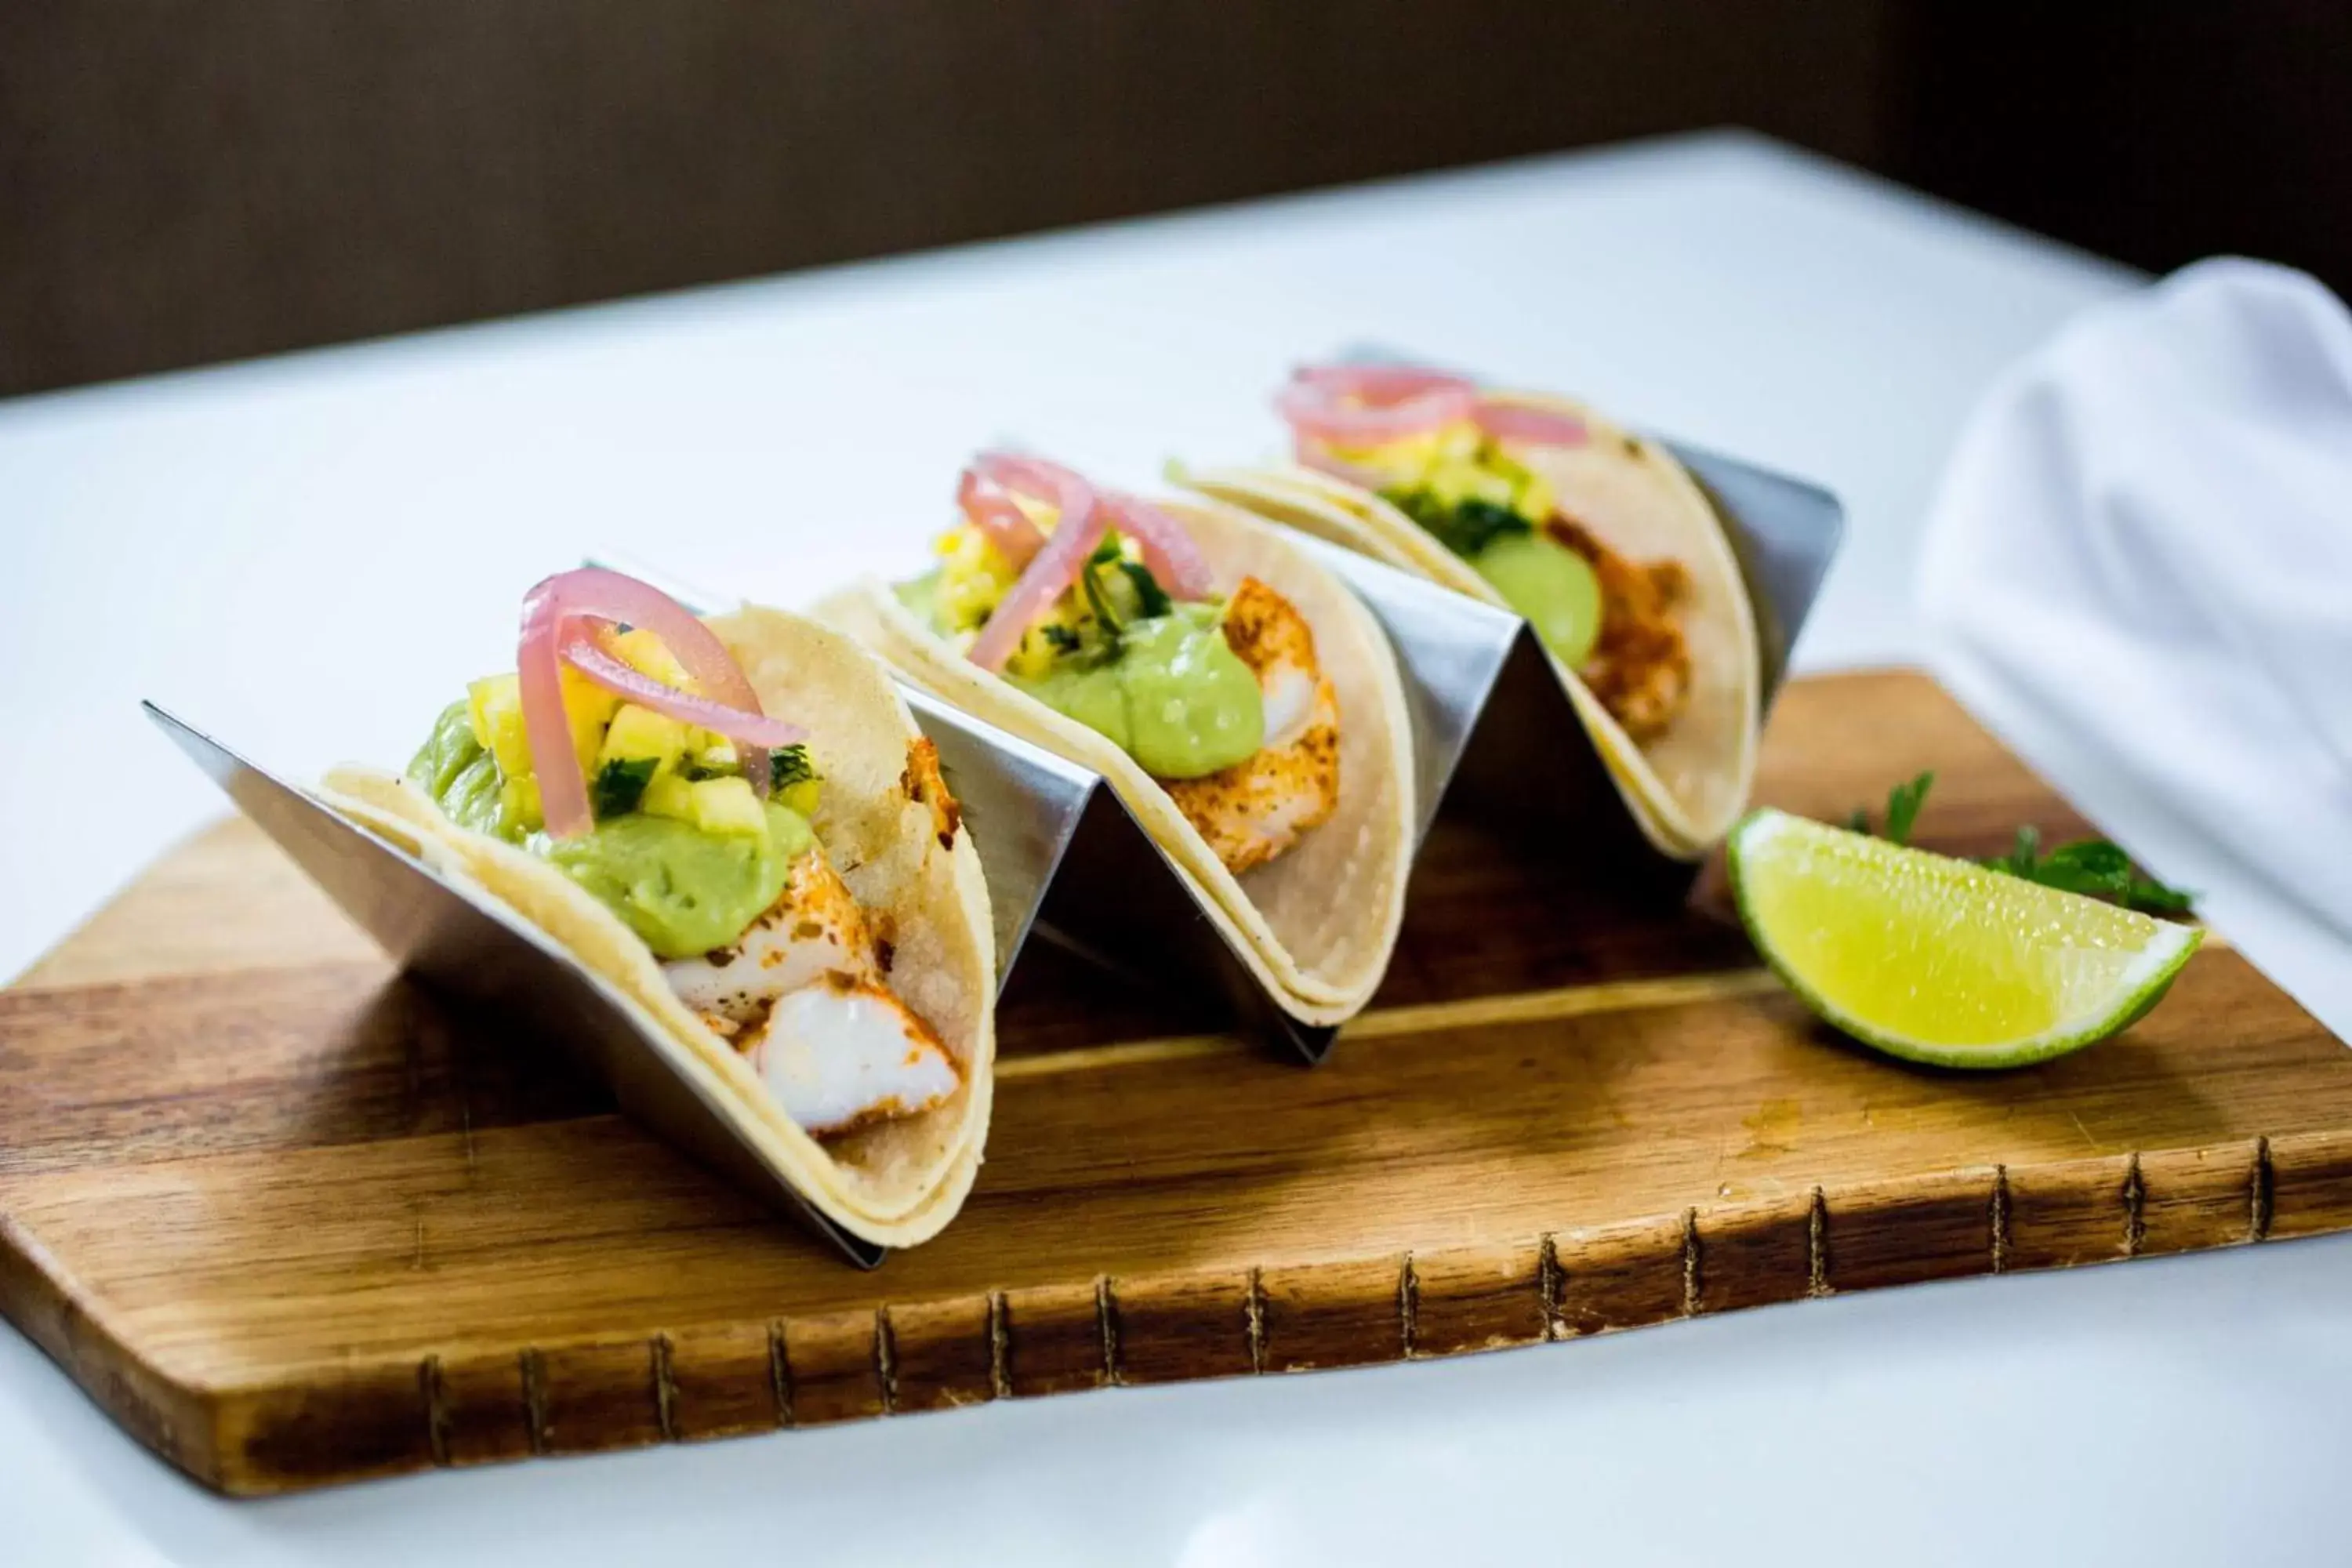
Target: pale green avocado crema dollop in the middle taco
{"points": [[1170, 695]]}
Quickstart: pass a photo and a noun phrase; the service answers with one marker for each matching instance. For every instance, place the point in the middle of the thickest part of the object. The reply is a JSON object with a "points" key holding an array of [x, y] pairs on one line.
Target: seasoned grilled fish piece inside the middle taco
{"points": [[1257, 810]]}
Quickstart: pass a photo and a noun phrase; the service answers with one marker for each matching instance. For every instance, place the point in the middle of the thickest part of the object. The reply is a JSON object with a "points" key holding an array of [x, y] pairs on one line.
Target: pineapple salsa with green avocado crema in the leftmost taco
{"points": [[681, 847]]}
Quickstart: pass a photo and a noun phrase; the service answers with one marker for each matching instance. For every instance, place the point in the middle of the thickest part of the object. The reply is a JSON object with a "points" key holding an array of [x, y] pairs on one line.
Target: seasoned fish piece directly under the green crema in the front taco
{"points": [[815, 930]]}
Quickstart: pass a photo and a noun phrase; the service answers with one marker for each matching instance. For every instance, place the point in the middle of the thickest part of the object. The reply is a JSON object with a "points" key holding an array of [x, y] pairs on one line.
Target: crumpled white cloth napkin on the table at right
{"points": [[2144, 547]]}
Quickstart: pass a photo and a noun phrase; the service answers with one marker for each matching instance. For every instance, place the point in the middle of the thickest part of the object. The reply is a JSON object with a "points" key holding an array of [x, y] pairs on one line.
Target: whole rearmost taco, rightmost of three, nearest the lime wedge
{"points": [[1593, 535]]}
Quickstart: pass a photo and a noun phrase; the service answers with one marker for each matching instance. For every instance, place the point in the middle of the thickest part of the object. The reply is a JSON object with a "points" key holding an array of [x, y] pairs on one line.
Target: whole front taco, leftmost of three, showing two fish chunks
{"points": [[740, 829]]}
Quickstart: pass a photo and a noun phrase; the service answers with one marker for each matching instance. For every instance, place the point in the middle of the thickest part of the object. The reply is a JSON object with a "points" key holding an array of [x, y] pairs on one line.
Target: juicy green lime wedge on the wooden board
{"points": [[1939, 960]]}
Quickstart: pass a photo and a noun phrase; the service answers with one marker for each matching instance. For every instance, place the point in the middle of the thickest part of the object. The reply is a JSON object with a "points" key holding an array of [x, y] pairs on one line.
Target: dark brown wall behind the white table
{"points": [[189, 182]]}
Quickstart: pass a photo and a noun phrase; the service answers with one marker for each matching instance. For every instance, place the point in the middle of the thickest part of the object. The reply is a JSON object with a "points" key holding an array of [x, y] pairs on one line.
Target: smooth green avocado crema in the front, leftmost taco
{"points": [[679, 887]]}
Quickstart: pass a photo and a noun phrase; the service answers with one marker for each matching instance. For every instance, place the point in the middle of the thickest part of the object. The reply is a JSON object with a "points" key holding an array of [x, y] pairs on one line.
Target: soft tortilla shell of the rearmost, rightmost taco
{"points": [[1688, 786]]}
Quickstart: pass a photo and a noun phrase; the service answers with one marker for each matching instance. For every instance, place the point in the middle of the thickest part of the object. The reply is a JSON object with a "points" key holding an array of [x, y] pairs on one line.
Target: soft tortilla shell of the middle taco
{"points": [[1316, 925]]}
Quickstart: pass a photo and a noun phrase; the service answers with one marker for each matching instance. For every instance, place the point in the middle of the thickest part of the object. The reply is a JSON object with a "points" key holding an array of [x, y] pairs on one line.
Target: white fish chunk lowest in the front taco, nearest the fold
{"points": [[843, 1054]]}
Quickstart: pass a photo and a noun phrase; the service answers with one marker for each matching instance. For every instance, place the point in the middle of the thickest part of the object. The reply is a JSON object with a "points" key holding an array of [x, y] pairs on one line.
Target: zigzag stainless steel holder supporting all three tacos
{"points": [[1064, 857]]}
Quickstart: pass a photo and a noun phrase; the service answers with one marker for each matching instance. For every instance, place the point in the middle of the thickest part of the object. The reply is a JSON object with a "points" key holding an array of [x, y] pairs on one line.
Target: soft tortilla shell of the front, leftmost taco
{"points": [[900, 1181]]}
